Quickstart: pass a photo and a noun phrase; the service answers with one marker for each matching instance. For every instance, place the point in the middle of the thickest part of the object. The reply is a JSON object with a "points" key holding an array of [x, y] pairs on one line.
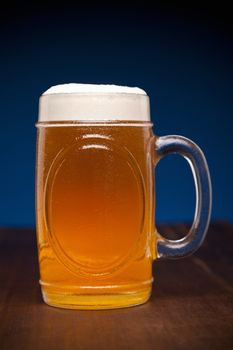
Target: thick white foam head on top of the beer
{"points": [[83, 102]]}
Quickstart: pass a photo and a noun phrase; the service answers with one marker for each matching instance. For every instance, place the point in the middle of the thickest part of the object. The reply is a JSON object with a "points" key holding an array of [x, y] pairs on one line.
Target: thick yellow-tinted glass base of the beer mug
{"points": [[96, 301]]}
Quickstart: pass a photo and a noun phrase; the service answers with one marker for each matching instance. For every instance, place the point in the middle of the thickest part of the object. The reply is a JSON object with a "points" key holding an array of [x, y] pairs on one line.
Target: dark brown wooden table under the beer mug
{"points": [[191, 306]]}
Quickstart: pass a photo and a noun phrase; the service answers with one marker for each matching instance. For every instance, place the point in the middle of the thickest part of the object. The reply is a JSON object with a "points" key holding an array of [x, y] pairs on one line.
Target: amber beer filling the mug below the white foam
{"points": [[95, 213]]}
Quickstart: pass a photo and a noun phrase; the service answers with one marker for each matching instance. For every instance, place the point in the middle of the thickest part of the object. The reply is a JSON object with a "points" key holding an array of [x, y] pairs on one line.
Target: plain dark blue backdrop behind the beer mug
{"points": [[181, 55]]}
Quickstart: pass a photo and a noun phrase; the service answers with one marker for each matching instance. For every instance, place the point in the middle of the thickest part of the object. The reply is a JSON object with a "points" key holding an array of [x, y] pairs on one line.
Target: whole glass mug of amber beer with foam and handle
{"points": [[95, 196]]}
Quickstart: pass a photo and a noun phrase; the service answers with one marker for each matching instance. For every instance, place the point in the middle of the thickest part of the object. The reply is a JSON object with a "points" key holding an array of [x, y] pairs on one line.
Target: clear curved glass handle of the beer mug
{"points": [[192, 153]]}
